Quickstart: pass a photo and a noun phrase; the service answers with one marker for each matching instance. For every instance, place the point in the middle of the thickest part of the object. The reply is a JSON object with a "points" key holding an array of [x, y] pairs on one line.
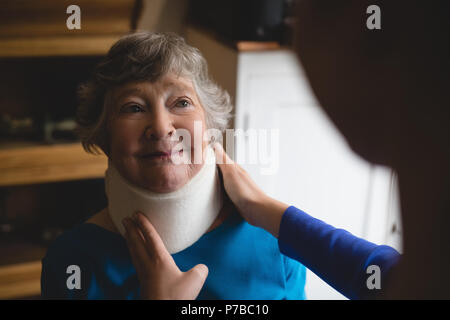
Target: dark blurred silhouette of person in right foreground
{"points": [[388, 92]]}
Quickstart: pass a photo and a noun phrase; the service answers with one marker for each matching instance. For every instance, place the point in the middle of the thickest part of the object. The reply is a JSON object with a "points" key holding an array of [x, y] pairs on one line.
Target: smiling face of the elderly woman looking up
{"points": [[145, 120]]}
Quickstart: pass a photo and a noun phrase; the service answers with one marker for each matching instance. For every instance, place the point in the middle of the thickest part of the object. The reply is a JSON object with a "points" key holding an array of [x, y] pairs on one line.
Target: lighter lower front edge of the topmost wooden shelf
{"points": [[56, 46]]}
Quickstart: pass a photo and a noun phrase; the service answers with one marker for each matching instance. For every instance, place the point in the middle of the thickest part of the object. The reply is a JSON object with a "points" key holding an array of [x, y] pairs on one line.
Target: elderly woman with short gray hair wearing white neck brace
{"points": [[149, 87]]}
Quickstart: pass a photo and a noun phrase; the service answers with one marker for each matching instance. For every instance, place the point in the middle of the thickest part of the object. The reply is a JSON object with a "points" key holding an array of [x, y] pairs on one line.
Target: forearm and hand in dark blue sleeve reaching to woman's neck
{"points": [[335, 255]]}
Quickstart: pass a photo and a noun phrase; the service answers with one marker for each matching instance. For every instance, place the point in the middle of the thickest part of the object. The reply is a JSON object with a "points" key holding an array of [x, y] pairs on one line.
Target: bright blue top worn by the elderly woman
{"points": [[244, 262]]}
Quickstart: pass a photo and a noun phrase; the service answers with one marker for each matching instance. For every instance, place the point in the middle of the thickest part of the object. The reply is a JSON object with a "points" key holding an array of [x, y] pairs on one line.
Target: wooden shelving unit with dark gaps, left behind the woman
{"points": [[42, 63]]}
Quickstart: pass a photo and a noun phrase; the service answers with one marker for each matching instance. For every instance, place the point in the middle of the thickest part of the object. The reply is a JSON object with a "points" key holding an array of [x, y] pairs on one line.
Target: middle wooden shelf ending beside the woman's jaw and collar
{"points": [[49, 163]]}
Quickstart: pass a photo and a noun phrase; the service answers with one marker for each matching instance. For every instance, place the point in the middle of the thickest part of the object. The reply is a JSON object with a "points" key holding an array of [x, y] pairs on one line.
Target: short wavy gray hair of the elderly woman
{"points": [[146, 56]]}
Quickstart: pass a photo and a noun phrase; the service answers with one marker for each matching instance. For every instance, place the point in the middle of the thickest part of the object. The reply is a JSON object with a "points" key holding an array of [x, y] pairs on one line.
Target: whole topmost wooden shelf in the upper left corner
{"points": [[38, 28]]}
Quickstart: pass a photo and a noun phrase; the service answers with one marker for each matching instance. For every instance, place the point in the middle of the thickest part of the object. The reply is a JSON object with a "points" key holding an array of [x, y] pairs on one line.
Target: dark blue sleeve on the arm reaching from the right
{"points": [[335, 255]]}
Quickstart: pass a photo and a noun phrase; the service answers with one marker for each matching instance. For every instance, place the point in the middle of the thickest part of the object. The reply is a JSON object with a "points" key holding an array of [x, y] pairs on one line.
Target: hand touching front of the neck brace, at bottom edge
{"points": [[159, 276]]}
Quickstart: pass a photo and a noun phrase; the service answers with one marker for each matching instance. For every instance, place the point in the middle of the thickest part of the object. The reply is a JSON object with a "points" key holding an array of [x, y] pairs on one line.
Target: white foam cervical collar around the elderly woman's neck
{"points": [[180, 217]]}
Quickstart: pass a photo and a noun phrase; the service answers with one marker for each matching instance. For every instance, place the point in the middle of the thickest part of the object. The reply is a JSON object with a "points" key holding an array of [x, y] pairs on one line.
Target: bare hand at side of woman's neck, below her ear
{"points": [[252, 203]]}
